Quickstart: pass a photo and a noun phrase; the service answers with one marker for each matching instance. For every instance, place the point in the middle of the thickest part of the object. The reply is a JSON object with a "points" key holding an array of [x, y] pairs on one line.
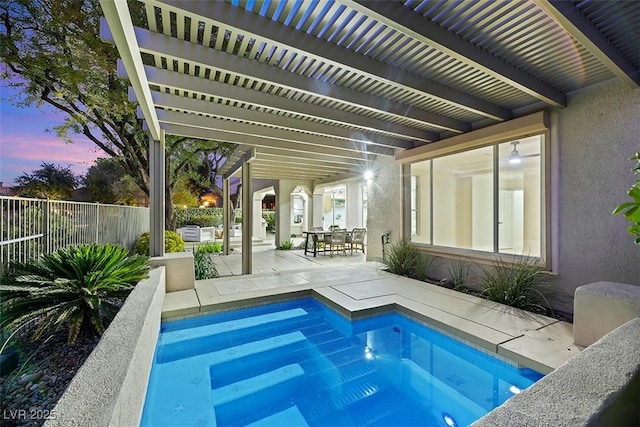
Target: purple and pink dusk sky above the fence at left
{"points": [[25, 142]]}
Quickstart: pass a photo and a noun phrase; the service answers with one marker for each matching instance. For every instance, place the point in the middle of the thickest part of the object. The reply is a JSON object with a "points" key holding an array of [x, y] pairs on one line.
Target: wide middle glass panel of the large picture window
{"points": [[463, 200]]}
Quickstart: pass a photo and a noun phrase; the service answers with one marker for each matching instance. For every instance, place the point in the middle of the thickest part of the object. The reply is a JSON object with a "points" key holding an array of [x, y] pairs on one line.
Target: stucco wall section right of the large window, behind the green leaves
{"points": [[596, 135]]}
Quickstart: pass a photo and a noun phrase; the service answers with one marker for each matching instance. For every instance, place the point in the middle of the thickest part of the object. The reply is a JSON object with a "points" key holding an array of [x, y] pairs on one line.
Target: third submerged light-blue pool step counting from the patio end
{"points": [[259, 391]]}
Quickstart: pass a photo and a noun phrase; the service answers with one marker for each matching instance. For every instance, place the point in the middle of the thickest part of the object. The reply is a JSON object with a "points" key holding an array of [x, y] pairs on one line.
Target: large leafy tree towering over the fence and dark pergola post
{"points": [[54, 54]]}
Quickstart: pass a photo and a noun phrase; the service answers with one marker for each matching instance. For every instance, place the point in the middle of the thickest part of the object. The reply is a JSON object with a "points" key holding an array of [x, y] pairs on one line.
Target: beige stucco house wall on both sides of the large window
{"points": [[592, 140]]}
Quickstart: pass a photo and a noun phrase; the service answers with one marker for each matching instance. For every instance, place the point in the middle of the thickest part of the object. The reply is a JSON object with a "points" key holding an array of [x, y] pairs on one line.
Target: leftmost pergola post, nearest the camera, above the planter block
{"points": [[156, 195]]}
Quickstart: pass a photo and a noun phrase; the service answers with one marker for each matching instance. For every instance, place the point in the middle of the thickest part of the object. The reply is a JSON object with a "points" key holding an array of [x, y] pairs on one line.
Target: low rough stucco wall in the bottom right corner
{"points": [[598, 387]]}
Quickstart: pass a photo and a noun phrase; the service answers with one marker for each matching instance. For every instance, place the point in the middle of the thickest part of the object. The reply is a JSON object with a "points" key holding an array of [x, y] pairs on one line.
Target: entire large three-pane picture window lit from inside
{"points": [[487, 199]]}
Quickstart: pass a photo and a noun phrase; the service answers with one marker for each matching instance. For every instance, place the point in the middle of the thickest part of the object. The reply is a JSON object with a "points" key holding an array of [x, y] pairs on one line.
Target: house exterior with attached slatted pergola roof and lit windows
{"points": [[486, 129]]}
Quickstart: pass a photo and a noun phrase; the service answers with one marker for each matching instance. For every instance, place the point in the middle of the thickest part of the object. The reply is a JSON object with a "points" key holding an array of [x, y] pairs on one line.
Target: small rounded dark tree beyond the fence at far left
{"points": [[50, 181]]}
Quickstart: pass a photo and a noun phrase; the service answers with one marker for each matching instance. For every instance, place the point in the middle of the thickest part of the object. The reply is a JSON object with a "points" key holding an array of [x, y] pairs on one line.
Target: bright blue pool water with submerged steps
{"points": [[299, 363]]}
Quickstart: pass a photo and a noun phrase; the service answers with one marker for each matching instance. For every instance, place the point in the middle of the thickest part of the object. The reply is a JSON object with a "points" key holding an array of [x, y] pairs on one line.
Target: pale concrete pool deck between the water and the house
{"points": [[357, 289]]}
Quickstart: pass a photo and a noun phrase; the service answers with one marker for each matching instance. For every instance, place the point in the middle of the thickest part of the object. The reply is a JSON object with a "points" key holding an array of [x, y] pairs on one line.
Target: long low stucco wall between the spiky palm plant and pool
{"points": [[110, 388]]}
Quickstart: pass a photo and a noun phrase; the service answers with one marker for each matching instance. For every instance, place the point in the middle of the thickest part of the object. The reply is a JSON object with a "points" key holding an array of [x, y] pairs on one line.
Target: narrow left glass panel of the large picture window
{"points": [[421, 202]]}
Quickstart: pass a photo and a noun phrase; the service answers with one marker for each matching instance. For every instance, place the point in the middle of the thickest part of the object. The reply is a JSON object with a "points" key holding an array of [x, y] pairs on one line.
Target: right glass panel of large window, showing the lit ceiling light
{"points": [[519, 199]]}
